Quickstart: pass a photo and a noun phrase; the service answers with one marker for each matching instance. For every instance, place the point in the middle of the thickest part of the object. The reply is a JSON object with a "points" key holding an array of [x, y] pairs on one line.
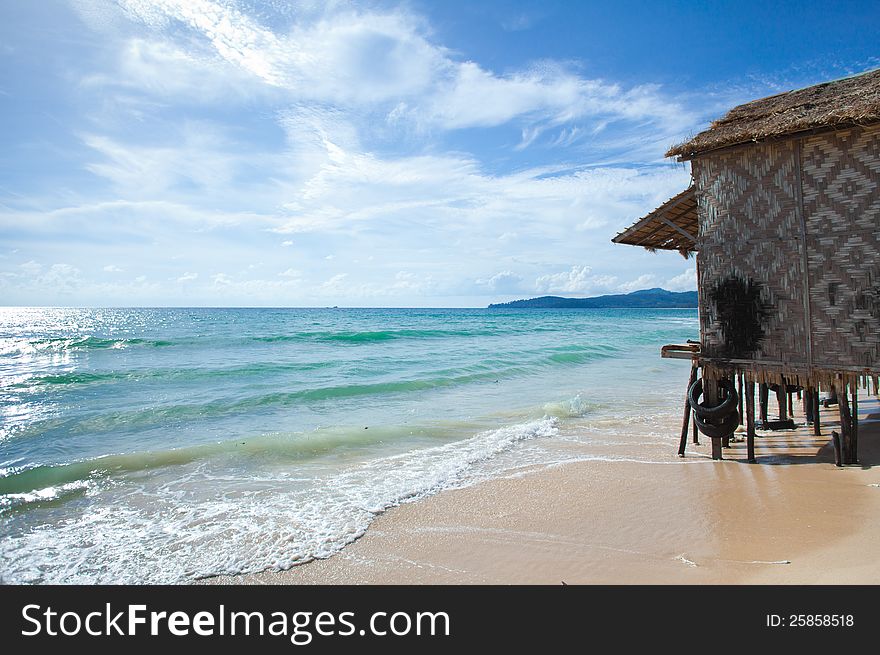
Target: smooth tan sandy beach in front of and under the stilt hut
{"points": [[792, 518]]}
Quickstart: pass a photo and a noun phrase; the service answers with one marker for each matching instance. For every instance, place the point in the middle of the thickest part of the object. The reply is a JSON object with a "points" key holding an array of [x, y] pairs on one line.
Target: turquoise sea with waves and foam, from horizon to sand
{"points": [[160, 445]]}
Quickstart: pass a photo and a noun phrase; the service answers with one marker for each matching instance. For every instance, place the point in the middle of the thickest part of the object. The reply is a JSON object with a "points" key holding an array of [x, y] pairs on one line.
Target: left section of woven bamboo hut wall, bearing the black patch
{"points": [[750, 231]]}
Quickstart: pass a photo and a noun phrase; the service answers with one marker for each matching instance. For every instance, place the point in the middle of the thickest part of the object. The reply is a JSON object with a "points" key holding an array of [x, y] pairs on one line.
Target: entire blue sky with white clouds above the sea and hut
{"points": [[372, 154]]}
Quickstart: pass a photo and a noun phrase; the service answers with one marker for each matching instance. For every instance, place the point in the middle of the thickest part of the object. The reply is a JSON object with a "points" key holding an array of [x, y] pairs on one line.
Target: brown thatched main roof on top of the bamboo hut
{"points": [[840, 103]]}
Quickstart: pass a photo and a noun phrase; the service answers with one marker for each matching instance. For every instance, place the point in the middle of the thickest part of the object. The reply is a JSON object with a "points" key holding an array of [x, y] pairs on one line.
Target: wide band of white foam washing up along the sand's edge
{"points": [[141, 531]]}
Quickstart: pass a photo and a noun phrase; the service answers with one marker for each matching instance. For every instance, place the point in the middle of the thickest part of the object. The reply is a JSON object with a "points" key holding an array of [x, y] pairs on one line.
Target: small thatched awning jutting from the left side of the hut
{"points": [[672, 226]]}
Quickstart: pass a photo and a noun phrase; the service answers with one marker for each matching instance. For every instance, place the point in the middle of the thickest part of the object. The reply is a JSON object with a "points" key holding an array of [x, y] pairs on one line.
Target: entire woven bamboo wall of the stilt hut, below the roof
{"points": [[789, 259]]}
